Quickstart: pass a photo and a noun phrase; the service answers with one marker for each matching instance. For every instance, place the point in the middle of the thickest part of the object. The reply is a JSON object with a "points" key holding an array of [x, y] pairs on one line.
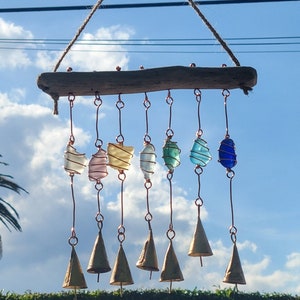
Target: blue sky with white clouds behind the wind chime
{"points": [[264, 126]]}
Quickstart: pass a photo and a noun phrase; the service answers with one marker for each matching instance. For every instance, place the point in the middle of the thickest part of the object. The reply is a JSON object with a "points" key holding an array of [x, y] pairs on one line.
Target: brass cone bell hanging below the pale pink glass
{"points": [[98, 262]]}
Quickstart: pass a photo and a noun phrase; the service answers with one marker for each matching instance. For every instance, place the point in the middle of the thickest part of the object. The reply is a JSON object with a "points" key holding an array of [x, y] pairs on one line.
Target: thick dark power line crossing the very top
{"points": [[133, 5]]}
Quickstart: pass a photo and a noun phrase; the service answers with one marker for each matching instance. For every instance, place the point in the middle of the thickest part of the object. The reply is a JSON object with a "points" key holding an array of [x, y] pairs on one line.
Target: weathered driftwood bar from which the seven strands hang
{"points": [[146, 80]]}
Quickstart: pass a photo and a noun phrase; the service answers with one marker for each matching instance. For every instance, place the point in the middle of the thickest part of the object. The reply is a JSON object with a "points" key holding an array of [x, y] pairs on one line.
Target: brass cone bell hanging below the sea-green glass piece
{"points": [[171, 269]]}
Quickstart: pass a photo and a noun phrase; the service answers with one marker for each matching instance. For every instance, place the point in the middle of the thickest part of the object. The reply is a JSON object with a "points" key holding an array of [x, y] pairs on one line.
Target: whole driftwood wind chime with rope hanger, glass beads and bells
{"points": [[118, 157]]}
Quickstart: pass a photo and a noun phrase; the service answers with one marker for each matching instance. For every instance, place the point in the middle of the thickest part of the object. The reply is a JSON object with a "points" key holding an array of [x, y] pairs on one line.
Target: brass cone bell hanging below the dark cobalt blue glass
{"points": [[234, 272]]}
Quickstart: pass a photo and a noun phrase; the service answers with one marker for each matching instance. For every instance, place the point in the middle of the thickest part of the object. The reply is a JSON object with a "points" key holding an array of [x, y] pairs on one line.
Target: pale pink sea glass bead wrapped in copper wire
{"points": [[98, 166]]}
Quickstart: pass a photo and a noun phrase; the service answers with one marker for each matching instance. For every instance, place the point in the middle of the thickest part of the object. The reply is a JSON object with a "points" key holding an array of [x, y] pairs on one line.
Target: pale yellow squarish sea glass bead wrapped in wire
{"points": [[119, 156]]}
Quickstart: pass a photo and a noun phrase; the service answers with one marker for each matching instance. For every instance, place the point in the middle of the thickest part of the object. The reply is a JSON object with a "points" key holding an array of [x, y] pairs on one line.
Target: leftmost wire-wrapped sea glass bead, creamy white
{"points": [[74, 162]]}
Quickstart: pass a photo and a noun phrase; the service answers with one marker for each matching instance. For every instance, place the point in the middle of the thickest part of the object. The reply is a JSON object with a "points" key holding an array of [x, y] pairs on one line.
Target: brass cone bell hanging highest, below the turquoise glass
{"points": [[199, 245]]}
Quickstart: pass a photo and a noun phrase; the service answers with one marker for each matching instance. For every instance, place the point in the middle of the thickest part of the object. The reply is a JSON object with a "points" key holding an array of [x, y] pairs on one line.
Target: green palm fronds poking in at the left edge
{"points": [[8, 215]]}
